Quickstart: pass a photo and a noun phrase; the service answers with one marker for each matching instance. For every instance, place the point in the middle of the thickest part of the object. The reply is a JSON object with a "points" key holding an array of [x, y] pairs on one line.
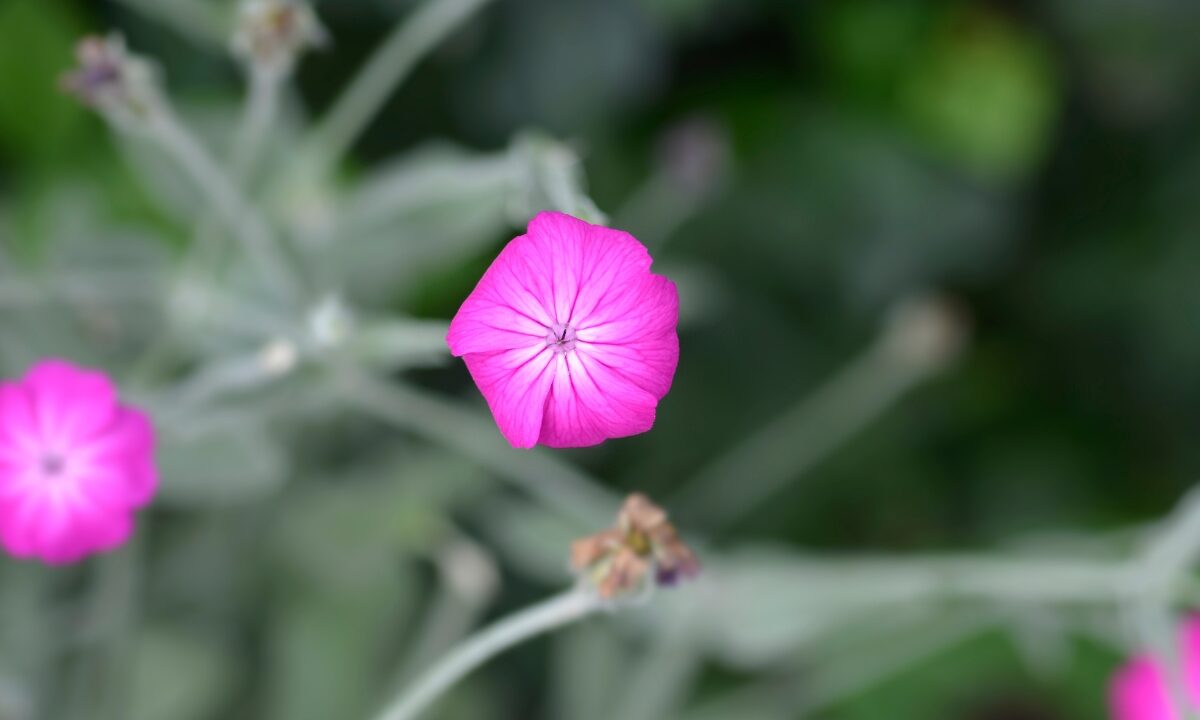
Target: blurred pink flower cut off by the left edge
{"points": [[75, 464]]}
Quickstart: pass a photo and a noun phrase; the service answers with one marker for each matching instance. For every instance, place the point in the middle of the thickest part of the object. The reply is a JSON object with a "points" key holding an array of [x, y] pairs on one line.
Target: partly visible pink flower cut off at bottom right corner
{"points": [[1139, 691]]}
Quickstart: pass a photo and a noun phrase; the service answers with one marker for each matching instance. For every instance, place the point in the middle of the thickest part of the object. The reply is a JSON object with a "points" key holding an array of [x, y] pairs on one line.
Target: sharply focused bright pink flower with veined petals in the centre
{"points": [[569, 335]]}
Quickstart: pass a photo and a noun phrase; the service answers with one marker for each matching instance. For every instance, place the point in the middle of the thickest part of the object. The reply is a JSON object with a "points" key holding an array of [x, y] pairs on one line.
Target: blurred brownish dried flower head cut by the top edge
{"points": [[273, 34]]}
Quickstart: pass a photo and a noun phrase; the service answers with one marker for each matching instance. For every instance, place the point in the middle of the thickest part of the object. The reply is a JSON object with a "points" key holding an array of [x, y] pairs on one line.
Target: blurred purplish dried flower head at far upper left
{"points": [[122, 87]]}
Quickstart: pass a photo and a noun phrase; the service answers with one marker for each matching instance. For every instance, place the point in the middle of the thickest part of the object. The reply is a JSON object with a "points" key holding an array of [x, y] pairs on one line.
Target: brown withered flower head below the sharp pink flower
{"points": [[620, 562]]}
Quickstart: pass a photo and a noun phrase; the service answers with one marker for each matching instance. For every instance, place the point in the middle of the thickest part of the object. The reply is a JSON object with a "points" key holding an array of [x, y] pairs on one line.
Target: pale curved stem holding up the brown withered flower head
{"points": [[544, 617]]}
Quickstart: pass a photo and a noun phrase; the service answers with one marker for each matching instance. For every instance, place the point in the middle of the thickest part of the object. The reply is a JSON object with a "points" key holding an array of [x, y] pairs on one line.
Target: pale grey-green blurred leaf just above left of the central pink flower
{"points": [[441, 207]]}
